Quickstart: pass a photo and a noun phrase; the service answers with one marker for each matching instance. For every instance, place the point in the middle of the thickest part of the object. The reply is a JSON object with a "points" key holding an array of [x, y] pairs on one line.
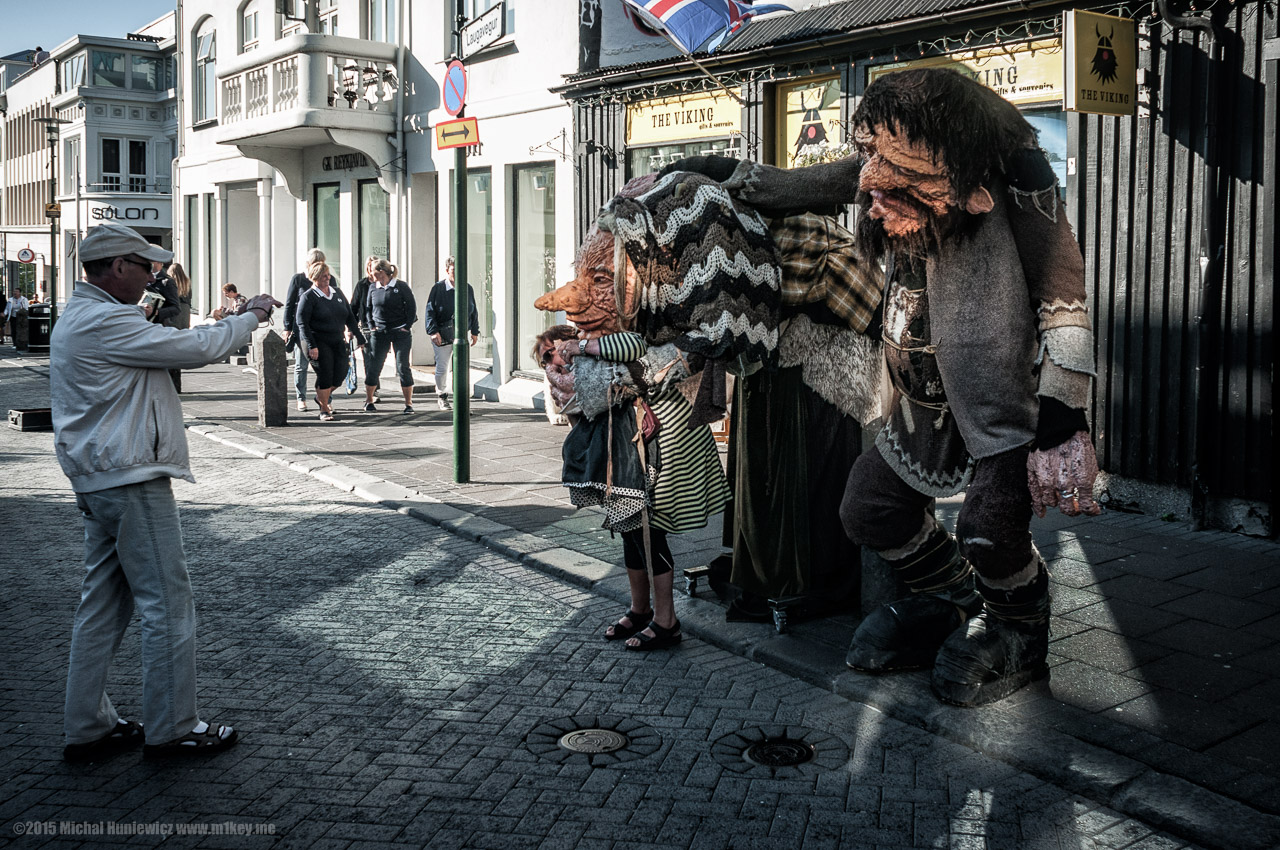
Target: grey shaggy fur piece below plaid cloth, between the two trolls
{"points": [[844, 368]]}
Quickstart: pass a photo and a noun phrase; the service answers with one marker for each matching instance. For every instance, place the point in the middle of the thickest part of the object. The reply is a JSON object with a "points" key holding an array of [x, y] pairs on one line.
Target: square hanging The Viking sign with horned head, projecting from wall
{"points": [[1101, 65]]}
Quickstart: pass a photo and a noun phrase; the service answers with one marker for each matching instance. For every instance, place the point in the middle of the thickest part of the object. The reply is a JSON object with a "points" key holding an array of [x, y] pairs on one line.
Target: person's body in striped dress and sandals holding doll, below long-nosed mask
{"points": [[668, 482]]}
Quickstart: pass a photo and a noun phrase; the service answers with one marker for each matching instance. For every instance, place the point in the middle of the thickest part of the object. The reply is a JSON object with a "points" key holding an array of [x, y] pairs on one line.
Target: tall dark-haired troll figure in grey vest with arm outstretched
{"points": [[990, 354]]}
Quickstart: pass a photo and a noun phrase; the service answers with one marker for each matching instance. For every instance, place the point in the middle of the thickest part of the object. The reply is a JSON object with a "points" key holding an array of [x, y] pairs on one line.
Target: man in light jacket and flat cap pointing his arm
{"points": [[120, 438]]}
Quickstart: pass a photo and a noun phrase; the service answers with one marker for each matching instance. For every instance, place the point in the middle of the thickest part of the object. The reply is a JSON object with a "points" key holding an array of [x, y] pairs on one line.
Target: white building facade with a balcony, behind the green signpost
{"points": [[317, 130]]}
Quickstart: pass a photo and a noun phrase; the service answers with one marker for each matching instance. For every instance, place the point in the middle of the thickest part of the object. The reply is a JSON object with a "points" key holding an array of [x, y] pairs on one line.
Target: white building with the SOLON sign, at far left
{"points": [[115, 109]]}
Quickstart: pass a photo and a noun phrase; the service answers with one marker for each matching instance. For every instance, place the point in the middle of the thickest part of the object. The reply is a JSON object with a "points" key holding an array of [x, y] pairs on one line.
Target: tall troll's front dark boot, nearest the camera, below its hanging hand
{"points": [[1000, 651]]}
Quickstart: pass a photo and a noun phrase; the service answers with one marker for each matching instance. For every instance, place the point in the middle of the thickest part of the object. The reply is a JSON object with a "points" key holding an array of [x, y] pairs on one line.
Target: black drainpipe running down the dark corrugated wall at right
{"points": [[1212, 262]]}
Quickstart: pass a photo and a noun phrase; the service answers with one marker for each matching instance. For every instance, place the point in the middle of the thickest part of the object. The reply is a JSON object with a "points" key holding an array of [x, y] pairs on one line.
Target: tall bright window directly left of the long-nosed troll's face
{"points": [[536, 255]]}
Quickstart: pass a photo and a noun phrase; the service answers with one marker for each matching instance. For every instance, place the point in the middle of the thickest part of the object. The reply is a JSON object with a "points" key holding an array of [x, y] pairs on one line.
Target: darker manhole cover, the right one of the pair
{"points": [[780, 752]]}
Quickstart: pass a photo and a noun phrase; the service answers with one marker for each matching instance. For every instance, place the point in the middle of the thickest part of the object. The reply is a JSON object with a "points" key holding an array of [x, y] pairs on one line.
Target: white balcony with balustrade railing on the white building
{"points": [[309, 90]]}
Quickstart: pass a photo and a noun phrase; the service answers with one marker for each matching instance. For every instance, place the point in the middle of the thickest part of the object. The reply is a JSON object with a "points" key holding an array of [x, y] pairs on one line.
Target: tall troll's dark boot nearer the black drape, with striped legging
{"points": [[907, 634]]}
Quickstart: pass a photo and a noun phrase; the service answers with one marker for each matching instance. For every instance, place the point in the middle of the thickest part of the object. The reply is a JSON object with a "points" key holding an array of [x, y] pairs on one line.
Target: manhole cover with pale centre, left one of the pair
{"points": [[598, 741]]}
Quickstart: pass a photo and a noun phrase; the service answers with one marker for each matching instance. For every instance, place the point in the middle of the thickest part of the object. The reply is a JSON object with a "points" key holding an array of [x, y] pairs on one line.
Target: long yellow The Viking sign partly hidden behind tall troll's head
{"points": [[1023, 74]]}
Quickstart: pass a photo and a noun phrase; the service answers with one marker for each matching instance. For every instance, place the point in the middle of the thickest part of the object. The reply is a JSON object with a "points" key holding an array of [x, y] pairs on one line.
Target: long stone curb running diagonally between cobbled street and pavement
{"points": [[1100, 775]]}
